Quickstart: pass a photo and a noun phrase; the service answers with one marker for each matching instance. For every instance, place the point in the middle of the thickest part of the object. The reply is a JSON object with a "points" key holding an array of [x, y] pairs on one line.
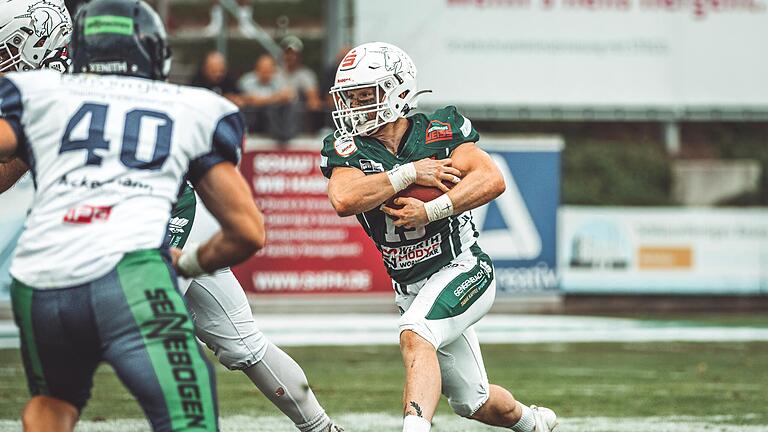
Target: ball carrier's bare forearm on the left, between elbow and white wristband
{"points": [[360, 195]]}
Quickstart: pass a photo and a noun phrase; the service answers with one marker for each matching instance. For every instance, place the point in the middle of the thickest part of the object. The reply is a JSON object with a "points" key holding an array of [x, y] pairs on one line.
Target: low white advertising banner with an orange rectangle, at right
{"points": [[663, 250]]}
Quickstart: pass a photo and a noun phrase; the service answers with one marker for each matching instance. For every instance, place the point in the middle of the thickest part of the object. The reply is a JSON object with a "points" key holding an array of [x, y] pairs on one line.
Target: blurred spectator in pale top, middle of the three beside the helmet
{"points": [[268, 101]]}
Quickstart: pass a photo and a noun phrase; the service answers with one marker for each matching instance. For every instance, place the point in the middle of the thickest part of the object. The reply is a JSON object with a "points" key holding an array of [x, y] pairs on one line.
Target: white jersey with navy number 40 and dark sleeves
{"points": [[108, 155]]}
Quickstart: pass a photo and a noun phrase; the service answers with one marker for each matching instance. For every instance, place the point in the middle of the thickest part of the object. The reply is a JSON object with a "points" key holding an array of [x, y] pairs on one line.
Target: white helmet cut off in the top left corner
{"points": [[31, 31]]}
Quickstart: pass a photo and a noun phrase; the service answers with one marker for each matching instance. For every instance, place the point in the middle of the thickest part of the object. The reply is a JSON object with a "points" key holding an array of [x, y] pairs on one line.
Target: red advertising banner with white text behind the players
{"points": [[310, 249]]}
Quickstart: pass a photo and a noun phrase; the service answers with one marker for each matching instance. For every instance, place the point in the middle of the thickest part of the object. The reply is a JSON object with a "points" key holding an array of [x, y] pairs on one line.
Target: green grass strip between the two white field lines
{"points": [[635, 380]]}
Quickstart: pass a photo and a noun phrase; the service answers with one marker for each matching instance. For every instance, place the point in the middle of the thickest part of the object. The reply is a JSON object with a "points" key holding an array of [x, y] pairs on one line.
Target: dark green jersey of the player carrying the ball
{"points": [[410, 255]]}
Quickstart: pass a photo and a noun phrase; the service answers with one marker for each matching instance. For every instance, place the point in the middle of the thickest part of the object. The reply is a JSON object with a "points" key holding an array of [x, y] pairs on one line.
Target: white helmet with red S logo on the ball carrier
{"points": [[381, 74]]}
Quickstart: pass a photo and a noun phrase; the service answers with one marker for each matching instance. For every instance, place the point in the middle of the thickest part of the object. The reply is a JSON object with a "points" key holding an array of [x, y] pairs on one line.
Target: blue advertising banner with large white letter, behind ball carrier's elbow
{"points": [[519, 228]]}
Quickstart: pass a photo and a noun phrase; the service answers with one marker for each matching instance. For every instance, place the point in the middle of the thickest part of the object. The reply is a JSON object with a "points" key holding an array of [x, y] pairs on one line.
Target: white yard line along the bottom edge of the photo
{"points": [[373, 422]]}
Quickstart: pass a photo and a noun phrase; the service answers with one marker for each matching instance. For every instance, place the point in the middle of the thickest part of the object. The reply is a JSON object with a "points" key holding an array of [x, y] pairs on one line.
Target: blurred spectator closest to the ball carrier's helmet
{"points": [[303, 81]]}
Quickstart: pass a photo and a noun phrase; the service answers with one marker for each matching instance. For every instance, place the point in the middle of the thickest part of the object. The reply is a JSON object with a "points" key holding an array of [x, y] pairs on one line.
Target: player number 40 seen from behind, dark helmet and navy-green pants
{"points": [[108, 151]]}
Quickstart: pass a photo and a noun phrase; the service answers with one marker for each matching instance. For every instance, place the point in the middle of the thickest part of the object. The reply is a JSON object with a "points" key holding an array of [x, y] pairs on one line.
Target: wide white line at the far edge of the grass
{"points": [[378, 329]]}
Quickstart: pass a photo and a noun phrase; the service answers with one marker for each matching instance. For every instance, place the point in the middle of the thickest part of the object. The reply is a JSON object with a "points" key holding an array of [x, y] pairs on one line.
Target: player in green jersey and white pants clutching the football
{"points": [[444, 282]]}
